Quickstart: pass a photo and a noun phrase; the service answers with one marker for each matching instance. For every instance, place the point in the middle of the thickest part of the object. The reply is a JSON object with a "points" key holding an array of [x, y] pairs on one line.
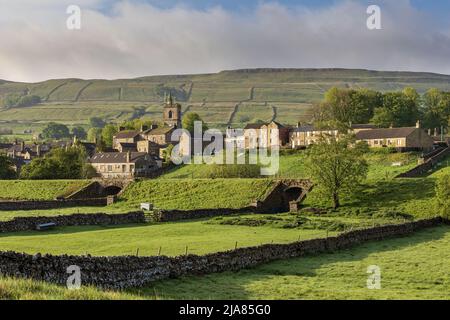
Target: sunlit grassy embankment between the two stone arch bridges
{"points": [[185, 194]]}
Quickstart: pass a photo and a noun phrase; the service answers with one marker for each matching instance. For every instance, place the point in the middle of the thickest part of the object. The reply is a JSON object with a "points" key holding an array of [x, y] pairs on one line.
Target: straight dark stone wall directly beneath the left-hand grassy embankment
{"points": [[51, 204]]}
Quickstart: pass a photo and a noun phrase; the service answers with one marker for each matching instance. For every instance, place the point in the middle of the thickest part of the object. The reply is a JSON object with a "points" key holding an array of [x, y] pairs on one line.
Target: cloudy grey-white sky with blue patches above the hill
{"points": [[133, 38]]}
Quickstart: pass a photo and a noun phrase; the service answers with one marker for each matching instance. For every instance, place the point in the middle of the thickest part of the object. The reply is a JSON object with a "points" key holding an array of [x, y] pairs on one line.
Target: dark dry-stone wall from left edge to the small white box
{"points": [[29, 223]]}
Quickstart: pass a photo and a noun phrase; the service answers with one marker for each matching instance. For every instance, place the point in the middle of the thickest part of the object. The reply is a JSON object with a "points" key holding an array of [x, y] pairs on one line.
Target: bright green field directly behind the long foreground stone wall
{"points": [[200, 237]]}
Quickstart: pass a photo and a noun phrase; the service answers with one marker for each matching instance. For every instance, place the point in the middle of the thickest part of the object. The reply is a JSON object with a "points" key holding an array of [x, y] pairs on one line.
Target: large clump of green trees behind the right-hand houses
{"points": [[341, 107]]}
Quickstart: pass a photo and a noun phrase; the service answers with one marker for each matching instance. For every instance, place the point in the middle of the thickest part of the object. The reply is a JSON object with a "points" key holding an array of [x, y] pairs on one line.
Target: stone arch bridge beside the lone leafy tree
{"points": [[286, 195]]}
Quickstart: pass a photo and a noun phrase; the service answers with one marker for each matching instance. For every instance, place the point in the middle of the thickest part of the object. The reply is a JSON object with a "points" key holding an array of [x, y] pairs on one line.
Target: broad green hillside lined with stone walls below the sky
{"points": [[228, 97]]}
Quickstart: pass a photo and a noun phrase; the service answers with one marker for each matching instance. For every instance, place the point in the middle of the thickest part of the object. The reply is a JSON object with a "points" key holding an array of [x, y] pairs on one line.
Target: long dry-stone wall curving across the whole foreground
{"points": [[132, 271]]}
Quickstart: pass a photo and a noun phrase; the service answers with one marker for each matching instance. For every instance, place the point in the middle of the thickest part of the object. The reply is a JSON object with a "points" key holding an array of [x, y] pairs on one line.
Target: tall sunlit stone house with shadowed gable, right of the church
{"points": [[265, 135]]}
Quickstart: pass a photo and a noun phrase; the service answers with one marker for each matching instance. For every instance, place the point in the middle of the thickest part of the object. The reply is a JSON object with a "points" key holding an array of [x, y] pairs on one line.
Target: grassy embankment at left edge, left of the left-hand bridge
{"points": [[38, 189]]}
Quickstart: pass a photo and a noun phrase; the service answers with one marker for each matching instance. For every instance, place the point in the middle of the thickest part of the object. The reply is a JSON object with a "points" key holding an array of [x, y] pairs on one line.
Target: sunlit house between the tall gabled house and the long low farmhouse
{"points": [[305, 135]]}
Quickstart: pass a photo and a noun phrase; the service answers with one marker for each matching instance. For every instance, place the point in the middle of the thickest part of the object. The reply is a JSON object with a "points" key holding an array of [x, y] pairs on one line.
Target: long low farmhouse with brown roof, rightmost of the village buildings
{"points": [[406, 138]]}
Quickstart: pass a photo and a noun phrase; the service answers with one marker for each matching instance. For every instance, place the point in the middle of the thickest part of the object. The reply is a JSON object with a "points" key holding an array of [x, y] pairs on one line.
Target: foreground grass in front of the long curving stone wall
{"points": [[413, 267]]}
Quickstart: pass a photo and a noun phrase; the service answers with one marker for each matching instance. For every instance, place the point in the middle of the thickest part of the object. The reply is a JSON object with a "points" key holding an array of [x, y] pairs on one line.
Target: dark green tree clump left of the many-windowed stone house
{"points": [[59, 163]]}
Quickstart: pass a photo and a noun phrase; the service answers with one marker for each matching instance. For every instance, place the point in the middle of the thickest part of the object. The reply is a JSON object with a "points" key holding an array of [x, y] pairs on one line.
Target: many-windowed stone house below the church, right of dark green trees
{"points": [[124, 164]]}
